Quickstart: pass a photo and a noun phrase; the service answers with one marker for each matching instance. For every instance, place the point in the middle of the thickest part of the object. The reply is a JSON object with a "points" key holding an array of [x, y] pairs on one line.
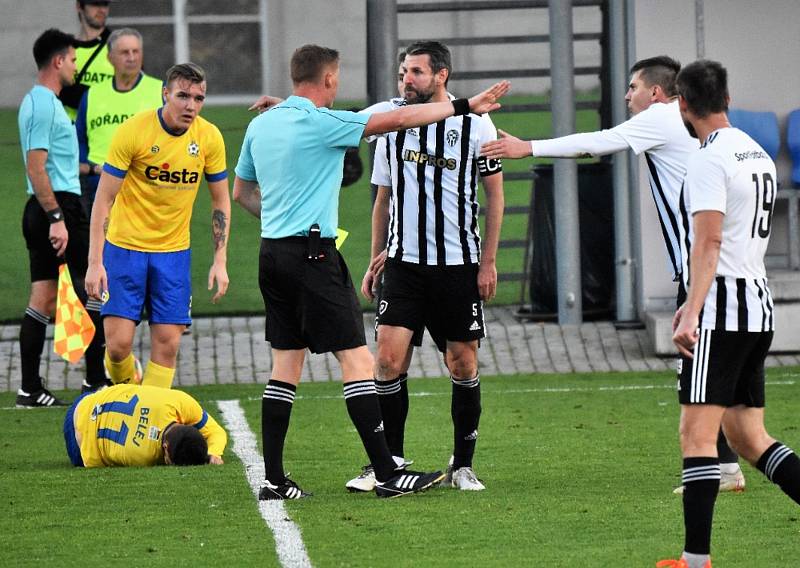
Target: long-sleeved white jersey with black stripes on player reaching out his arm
{"points": [[658, 131]]}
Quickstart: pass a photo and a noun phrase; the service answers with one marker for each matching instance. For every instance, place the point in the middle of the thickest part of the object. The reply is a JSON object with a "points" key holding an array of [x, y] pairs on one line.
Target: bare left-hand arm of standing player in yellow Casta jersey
{"points": [[96, 282]]}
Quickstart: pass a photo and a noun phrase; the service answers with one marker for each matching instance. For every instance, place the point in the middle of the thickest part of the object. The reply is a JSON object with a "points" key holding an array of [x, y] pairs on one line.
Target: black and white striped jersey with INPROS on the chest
{"points": [[433, 172]]}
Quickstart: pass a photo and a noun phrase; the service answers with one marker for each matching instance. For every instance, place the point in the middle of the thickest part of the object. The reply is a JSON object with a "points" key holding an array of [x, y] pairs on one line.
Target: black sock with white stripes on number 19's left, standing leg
{"points": [[700, 487]]}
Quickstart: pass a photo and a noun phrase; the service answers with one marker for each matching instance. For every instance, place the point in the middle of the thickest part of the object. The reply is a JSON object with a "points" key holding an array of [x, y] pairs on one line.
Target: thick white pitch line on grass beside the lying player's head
{"points": [[288, 541]]}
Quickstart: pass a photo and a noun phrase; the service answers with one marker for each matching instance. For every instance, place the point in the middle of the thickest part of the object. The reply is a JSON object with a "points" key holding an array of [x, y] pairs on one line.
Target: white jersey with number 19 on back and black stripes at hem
{"points": [[732, 174]]}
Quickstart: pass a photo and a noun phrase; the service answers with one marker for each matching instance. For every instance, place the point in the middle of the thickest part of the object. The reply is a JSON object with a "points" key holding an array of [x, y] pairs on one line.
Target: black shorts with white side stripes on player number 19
{"points": [[727, 369]]}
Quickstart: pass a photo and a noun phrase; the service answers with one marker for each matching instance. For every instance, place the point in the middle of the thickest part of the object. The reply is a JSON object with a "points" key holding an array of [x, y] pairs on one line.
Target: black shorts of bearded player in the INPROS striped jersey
{"points": [[444, 299]]}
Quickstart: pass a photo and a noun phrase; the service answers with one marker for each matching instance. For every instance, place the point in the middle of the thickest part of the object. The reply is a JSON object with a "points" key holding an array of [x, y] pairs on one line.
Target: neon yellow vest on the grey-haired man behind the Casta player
{"points": [[107, 108]]}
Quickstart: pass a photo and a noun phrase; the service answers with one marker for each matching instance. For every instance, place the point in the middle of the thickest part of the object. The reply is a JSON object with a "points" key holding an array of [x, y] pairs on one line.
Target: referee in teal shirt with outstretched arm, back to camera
{"points": [[294, 153]]}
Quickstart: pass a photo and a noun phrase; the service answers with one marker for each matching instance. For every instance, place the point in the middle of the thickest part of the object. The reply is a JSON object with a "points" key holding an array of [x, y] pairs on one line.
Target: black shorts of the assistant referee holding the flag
{"points": [[36, 229]]}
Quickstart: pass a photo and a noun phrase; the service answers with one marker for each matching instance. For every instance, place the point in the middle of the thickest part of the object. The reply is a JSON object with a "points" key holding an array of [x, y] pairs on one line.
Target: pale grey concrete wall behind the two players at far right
{"points": [[759, 45]]}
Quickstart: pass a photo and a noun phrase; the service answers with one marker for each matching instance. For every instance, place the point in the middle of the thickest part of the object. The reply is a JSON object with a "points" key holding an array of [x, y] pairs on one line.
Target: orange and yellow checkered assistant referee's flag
{"points": [[74, 328]]}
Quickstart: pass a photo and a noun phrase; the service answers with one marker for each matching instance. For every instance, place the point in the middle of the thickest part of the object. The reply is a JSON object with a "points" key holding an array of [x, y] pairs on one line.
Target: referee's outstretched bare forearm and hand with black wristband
{"points": [[419, 115]]}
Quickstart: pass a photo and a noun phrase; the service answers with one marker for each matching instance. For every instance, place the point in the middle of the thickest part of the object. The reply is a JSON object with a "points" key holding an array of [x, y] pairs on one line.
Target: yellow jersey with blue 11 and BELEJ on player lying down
{"points": [[123, 425]]}
